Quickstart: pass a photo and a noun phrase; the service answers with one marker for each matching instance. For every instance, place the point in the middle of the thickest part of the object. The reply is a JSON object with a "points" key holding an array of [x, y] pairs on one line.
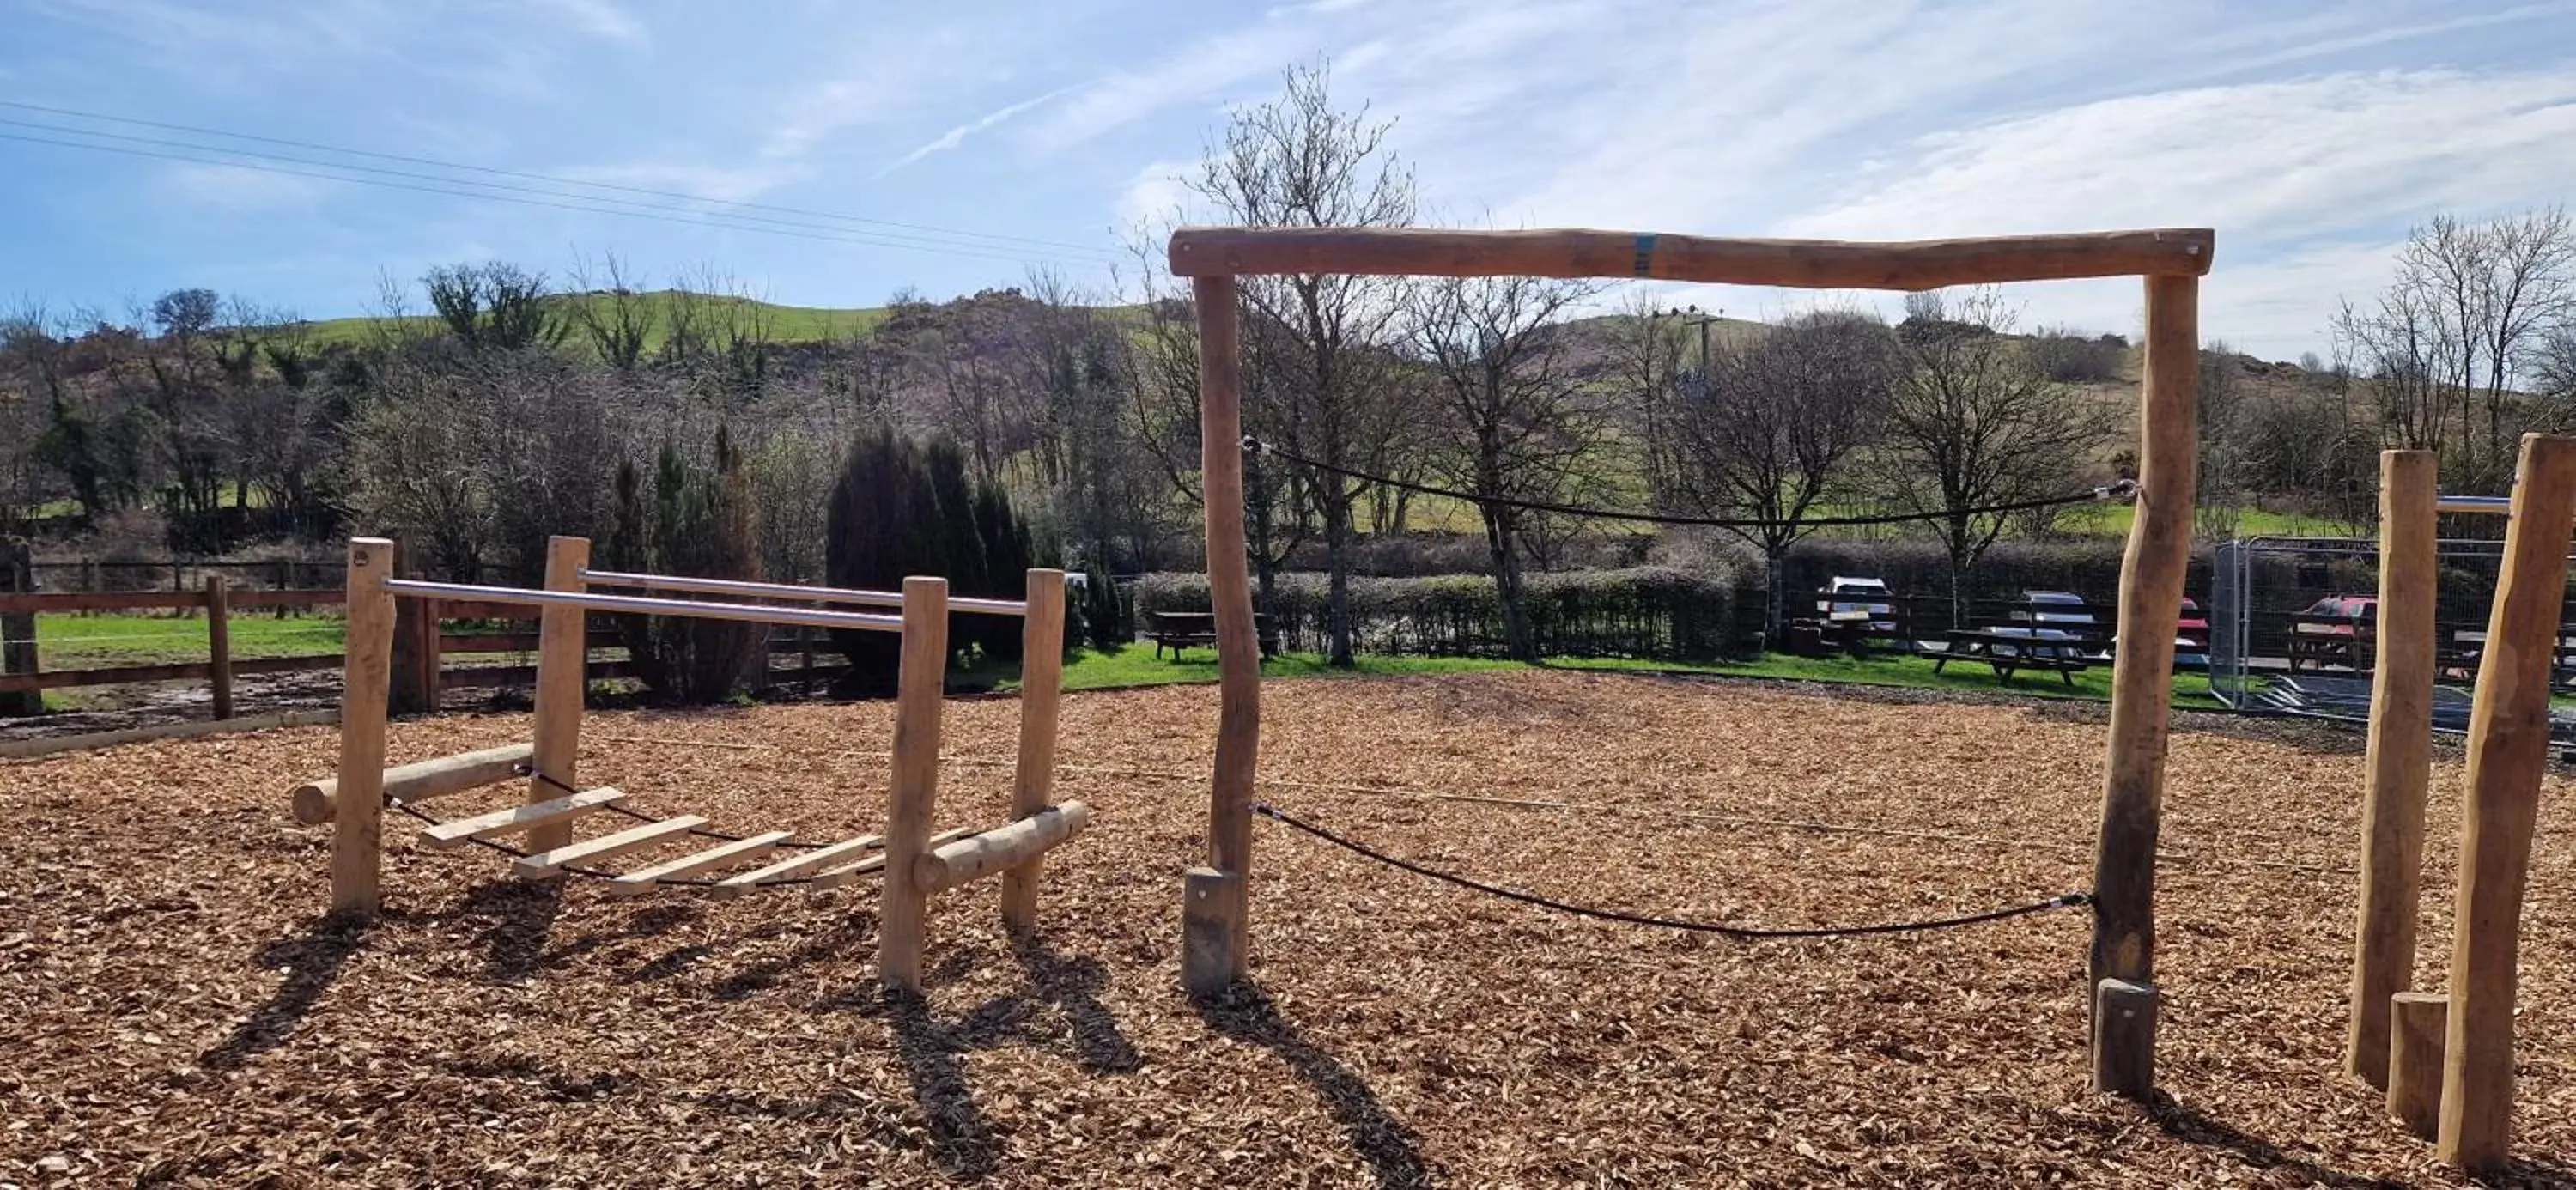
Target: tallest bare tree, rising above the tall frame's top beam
{"points": [[1318, 346]]}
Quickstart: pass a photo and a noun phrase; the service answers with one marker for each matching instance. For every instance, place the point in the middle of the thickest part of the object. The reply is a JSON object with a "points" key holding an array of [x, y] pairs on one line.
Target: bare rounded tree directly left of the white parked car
{"points": [[1774, 426]]}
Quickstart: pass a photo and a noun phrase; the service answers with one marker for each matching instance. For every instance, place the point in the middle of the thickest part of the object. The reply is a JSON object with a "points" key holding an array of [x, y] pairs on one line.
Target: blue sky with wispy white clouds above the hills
{"points": [[2307, 135]]}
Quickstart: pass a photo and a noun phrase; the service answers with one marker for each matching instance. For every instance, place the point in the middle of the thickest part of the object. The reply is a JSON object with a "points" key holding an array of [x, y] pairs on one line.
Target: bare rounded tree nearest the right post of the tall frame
{"points": [[1972, 421]]}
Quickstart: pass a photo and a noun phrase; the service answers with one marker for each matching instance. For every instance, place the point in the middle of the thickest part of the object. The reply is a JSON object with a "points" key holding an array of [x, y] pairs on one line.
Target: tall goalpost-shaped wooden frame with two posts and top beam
{"points": [[2173, 261]]}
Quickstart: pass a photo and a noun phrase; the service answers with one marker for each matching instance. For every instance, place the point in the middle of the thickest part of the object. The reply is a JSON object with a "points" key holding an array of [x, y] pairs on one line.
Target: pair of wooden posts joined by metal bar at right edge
{"points": [[2448, 1060]]}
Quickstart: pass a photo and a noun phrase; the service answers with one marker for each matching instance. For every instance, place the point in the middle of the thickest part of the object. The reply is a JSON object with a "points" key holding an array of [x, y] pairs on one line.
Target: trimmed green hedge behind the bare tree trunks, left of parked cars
{"points": [[1647, 612]]}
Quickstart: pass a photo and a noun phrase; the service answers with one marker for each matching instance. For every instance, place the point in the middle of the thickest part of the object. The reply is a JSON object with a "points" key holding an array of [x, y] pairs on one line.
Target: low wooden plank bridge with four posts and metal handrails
{"points": [[913, 862]]}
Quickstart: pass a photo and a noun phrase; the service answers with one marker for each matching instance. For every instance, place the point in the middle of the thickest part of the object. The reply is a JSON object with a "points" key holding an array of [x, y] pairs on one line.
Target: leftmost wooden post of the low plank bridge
{"points": [[357, 846]]}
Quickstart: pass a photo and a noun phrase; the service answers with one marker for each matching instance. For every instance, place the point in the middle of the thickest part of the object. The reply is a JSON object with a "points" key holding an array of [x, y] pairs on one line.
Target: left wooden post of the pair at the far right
{"points": [[2400, 764]]}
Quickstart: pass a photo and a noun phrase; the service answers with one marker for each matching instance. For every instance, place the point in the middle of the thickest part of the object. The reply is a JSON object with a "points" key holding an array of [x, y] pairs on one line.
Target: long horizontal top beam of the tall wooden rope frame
{"points": [[1799, 264]]}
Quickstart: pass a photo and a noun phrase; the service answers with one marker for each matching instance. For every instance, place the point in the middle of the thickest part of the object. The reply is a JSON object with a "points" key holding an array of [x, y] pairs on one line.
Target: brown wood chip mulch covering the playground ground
{"points": [[176, 1014]]}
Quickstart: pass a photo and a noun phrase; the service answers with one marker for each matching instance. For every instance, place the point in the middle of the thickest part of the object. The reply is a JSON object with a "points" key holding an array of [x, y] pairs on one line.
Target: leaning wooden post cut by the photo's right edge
{"points": [[2508, 753]]}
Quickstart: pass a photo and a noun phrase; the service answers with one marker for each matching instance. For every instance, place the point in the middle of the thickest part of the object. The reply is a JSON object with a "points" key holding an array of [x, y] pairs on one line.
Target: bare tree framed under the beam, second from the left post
{"points": [[1526, 429]]}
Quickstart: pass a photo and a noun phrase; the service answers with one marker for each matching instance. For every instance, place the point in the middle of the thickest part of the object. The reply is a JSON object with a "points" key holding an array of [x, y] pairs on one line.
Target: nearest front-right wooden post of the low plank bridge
{"points": [[913, 795]]}
